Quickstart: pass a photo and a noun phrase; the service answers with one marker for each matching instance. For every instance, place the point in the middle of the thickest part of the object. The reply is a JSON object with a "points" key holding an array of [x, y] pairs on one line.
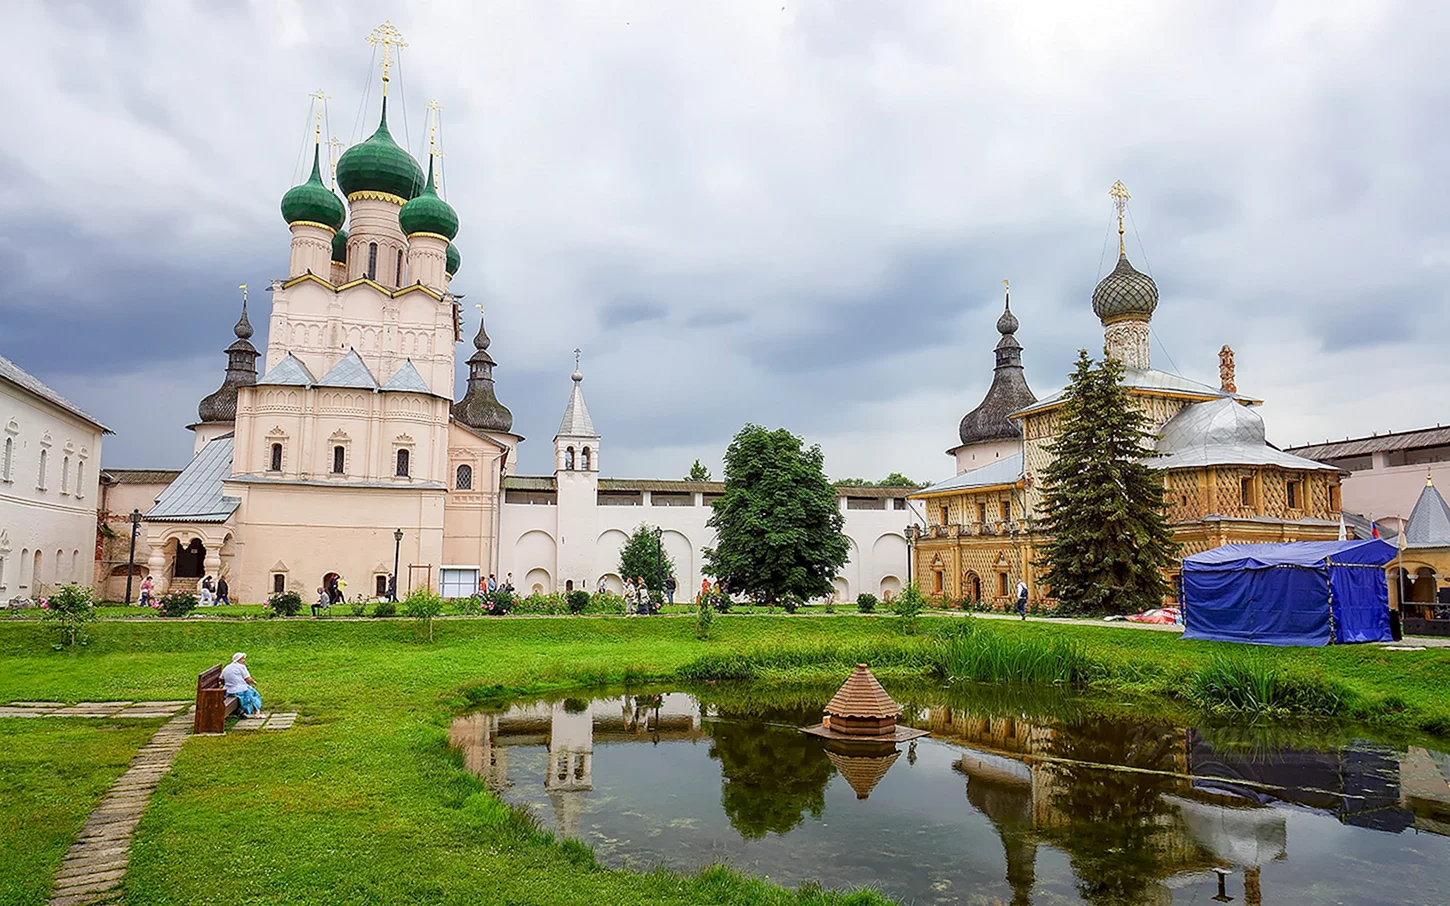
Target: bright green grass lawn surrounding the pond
{"points": [[363, 802]]}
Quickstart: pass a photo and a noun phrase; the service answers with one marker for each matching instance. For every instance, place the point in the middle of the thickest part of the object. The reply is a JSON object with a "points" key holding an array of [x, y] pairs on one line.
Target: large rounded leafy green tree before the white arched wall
{"points": [[778, 524]]}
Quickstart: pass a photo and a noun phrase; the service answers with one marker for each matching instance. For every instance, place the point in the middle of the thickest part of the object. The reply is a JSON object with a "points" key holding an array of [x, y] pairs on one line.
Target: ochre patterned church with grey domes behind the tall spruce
{"points": [[1226, 483]]}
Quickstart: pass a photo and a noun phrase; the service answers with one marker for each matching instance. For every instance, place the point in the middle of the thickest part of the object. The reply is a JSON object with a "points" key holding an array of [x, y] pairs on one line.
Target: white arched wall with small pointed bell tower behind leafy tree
{"points": [[568, 530]]}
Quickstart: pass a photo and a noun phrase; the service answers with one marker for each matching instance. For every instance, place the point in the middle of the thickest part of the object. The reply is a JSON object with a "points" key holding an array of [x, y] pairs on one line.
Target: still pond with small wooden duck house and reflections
{"points": [[1011, 799]]}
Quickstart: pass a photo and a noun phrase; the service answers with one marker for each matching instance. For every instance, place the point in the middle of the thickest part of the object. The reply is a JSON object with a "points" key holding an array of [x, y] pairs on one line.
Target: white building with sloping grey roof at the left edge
{"points": [[50, 459]]}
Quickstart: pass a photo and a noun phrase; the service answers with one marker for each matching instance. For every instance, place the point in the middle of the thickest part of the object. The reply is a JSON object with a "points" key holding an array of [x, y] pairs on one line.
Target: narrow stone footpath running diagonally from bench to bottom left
{"points": [[96, 862]]}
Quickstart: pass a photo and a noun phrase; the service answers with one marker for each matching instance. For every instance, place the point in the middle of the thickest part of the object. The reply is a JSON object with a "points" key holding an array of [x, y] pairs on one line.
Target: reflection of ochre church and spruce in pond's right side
{"points": [[1169, 805]]}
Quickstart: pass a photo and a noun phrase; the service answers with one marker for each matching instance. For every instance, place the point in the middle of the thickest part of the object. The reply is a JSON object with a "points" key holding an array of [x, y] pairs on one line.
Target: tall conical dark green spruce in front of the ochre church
{"points": [[1109, 540]]}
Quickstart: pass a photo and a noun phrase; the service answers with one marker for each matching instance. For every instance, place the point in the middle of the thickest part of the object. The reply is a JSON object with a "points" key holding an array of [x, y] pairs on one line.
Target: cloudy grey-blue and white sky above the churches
{"points": [[790, 212]]}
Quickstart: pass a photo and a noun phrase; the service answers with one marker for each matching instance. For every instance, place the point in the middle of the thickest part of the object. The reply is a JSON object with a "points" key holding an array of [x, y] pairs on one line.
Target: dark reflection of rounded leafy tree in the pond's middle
{"points": [[771, 776]]}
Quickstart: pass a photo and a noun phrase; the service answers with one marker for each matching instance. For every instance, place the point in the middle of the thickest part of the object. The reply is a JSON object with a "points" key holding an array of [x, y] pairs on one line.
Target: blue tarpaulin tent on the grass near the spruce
{"points": [[1287, 594]]}
